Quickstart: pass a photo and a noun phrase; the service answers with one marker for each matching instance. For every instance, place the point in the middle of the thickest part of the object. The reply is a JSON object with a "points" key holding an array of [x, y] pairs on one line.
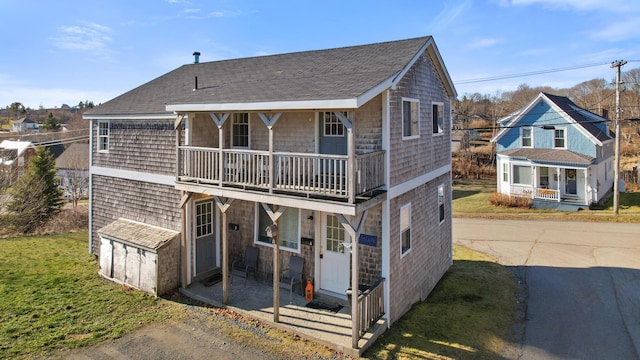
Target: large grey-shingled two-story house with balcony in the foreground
{"points": [[346, 150]]}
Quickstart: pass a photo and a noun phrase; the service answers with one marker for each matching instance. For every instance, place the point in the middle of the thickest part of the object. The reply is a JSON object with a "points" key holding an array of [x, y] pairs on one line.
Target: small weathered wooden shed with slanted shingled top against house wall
{"points": [[143, 256]]}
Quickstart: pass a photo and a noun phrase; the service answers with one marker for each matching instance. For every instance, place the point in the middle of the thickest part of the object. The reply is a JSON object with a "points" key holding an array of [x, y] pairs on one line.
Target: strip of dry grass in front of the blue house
{"points": [[471, 199]]}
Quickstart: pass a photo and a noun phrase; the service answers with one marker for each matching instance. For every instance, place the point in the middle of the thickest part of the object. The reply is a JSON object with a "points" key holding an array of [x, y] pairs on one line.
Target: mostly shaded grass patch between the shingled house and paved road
{"points": [[468, 315]]}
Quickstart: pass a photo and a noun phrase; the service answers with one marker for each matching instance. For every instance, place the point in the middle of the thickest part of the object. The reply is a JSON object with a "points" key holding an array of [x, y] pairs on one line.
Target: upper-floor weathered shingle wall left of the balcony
{"points": [[145, 145]]}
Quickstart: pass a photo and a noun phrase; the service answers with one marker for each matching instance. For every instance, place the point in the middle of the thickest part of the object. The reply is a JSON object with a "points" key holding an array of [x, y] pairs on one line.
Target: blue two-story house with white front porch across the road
{"points": [[556, 153]]}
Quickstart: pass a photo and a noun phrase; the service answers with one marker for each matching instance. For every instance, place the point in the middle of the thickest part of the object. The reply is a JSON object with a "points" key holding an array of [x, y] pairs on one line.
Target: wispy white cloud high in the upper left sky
{"points": [[84, 37]]}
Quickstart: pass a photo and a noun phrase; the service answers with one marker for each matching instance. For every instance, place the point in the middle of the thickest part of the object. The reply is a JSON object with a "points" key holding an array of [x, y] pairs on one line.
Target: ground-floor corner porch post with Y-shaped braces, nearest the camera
{"points": [[354, 232]]}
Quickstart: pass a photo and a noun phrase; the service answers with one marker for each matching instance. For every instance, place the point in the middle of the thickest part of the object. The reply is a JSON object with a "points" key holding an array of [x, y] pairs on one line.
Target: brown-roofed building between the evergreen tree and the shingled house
{"points": [[73, 171]]}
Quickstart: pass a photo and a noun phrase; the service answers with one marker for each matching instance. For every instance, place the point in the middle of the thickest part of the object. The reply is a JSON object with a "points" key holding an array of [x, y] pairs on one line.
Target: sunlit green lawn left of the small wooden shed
{"points": [[52, 298]]}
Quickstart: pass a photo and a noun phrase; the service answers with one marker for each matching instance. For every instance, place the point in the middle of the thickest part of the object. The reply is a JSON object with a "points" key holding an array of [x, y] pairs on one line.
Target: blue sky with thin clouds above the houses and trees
{"points": [[67, 51]]}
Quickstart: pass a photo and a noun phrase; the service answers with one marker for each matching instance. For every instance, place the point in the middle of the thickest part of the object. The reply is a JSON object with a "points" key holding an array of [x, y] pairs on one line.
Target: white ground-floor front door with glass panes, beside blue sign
{"points": [[334, 257]]}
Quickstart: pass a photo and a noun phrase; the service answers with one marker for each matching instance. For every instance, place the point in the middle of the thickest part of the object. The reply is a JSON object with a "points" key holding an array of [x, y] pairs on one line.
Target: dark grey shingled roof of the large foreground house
{"points": [[333, 74]]}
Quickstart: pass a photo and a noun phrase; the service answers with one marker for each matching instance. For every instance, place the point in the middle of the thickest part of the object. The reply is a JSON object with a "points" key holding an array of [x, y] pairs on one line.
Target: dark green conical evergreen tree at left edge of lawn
{"points": [[35, 196]]}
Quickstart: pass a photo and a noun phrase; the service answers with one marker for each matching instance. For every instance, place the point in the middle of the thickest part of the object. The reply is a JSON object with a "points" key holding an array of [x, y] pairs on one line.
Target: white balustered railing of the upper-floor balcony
{"points": [[301, 174]]}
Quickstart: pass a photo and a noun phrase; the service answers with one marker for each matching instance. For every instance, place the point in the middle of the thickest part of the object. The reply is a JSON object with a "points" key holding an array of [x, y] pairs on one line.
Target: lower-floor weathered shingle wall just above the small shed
{"points": [[114, 198]]}
